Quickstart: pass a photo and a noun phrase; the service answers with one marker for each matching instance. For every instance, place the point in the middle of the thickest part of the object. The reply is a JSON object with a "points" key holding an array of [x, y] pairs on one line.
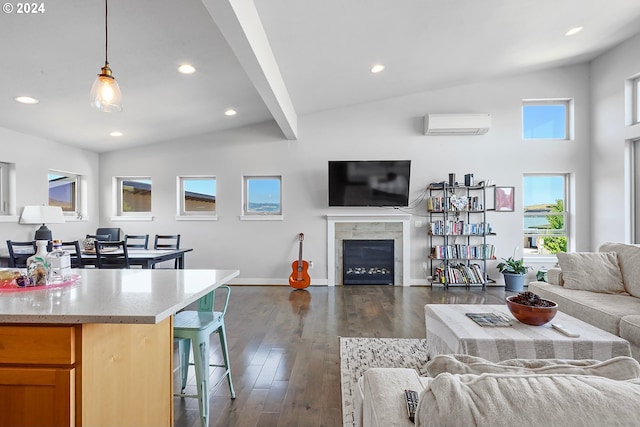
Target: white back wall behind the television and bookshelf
{"points": [[391, 129]]}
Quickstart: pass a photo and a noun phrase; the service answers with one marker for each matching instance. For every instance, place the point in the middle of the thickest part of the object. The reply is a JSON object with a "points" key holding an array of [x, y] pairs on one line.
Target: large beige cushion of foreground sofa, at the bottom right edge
{"points": [[495, 400]]}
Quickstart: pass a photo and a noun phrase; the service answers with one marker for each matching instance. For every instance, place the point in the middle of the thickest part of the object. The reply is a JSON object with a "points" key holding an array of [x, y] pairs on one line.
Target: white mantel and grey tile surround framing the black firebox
{"points": [[370, 226]]}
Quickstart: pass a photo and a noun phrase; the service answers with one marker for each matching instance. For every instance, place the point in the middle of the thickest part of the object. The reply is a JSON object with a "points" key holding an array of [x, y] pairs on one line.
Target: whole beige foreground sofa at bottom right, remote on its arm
{"points": [[462, 390]]}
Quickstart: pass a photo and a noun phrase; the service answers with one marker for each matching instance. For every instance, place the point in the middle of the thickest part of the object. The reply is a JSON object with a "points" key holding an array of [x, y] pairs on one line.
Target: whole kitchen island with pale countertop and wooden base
{"points": [[98, 351]]}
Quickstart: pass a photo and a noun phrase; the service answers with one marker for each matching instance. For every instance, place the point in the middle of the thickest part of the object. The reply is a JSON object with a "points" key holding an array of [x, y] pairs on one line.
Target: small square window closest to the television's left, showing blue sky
{"points": [[262, 196]]}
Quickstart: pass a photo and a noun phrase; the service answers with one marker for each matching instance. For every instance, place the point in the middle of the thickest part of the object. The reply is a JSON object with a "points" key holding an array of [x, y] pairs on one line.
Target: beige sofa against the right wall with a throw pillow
{"points": [[601, 288]]}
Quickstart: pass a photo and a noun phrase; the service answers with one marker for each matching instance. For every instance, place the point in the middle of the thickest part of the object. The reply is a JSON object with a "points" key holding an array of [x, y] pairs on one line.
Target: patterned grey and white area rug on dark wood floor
{"points": [[359, 354]]}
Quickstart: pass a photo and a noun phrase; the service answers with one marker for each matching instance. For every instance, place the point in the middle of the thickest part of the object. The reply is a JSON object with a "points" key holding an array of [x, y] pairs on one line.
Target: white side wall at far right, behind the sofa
{"points": [[609, 133]]}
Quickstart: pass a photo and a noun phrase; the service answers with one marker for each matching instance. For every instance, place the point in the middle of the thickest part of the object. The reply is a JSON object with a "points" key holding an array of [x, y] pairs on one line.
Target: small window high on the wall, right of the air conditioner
{"points": [[546, 119]]}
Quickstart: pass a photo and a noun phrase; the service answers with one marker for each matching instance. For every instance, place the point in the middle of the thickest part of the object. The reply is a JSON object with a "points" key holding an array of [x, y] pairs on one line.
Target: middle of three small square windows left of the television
{"points": [[197, 196]]}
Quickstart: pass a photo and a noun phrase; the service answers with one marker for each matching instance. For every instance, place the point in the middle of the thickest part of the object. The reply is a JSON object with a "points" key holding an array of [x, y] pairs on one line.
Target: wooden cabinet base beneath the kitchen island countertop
{"points": [[86, 375]]}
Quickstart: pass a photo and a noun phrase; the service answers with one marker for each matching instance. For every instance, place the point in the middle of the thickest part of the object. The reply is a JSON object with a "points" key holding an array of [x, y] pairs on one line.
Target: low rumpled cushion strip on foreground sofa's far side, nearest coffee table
{"points": [[618, 368]]}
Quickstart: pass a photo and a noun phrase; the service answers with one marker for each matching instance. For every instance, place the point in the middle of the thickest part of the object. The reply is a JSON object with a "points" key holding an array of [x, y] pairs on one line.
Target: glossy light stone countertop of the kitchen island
{"points": [[112, 296]]}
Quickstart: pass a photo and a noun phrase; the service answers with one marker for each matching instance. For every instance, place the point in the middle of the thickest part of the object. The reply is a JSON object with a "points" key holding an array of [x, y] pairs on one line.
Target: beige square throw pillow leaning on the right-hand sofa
{"points": [[591, 271]]}
